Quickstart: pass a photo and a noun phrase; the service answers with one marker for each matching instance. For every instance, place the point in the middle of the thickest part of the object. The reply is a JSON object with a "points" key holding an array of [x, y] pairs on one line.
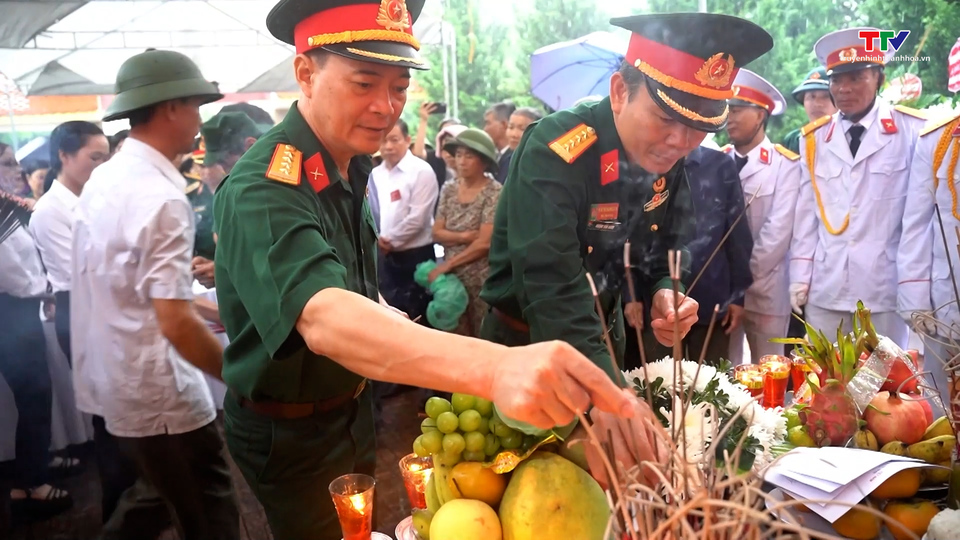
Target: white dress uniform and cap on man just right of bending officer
{"points": [[771, 184]]}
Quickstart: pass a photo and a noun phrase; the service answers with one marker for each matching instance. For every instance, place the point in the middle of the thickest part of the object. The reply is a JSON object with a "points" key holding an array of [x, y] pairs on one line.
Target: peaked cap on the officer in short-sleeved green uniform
{"points": [[367, 30]]}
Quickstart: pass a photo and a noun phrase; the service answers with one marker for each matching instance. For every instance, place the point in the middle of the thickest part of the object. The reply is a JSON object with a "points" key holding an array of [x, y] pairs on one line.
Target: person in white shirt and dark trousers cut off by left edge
{"points": [[23, 364]]}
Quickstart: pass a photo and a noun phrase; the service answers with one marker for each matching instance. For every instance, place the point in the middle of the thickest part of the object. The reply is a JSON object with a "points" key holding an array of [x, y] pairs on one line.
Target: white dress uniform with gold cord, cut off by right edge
{"points": [[923, 262]]}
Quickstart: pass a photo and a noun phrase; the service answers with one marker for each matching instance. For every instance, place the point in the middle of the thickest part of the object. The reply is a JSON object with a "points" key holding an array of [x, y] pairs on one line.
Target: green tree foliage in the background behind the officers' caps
{"points": [[501, 56]]}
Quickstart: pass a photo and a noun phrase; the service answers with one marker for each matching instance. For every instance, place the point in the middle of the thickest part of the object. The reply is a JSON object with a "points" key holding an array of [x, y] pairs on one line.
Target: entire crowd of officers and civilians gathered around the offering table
{"points": [[269, 270]]}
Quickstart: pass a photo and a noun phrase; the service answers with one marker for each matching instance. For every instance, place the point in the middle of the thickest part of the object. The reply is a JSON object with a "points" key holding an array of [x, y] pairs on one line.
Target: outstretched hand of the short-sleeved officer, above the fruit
{"points": [[546, 384]]}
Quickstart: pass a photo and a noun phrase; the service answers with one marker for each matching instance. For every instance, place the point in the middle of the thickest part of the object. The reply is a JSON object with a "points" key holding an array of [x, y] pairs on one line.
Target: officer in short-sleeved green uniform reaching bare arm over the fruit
{"points": [[297, 284]]}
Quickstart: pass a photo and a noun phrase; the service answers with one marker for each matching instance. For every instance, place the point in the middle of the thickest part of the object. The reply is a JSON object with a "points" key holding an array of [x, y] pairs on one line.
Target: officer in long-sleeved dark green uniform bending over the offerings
{"points": [[584, 181]]}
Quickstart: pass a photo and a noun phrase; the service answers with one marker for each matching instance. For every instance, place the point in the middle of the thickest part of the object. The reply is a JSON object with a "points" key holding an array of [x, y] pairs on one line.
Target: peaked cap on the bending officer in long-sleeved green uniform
{"points": [[690, 61]]}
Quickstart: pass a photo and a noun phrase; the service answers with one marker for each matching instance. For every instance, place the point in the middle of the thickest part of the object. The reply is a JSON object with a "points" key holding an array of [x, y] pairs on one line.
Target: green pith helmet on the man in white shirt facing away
{"points": [[156, 76]]}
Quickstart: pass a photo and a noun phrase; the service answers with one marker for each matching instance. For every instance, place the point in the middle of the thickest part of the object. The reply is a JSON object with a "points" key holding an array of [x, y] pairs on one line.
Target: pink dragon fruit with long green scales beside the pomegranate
{"points": [[831, 417]]}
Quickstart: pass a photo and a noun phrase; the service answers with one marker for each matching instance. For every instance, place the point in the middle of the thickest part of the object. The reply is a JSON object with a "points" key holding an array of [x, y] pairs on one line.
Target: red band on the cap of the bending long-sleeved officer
{"points": [[709, 78]]}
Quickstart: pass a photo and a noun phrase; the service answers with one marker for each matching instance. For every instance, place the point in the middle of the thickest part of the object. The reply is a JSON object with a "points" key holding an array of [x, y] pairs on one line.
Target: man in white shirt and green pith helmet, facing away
{"points": [[137, 339]]}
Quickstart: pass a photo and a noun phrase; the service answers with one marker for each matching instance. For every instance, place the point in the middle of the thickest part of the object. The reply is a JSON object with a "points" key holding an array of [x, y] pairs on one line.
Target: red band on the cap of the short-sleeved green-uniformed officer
{"points": [[356, 22]]}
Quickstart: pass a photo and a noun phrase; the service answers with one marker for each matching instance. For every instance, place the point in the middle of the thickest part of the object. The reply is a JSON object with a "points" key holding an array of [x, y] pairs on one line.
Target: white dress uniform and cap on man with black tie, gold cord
{"points": [[849, 214]]}
